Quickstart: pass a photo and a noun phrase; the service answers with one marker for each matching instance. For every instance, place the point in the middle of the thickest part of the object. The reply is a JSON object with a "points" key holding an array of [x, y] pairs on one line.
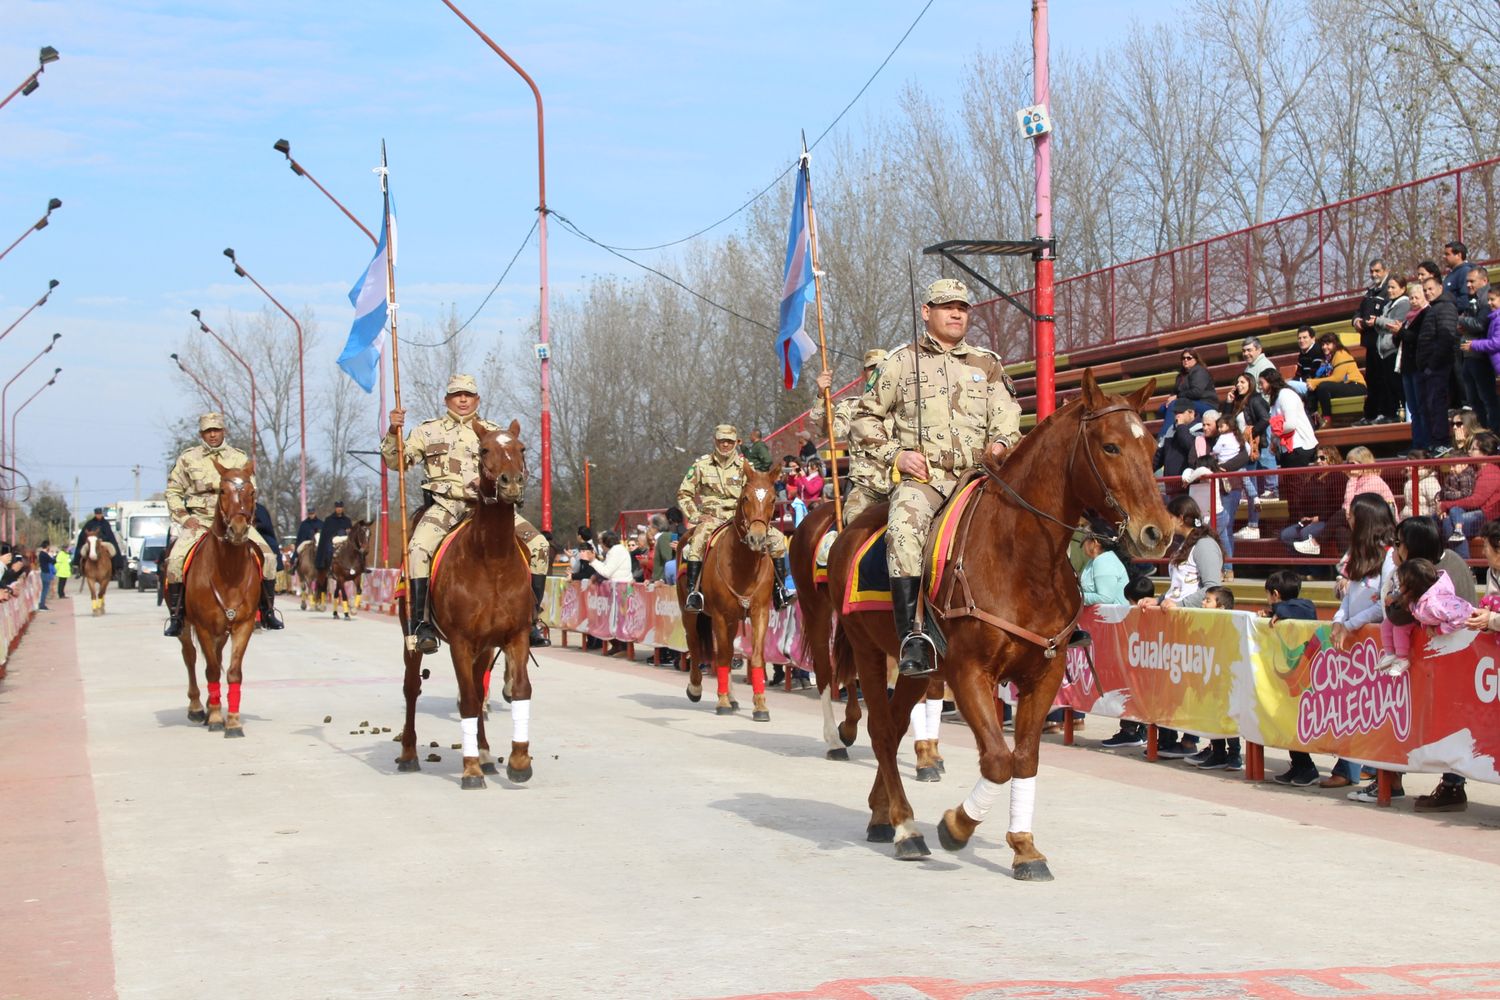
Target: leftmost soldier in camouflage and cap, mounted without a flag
{"points": [[193, 494]]}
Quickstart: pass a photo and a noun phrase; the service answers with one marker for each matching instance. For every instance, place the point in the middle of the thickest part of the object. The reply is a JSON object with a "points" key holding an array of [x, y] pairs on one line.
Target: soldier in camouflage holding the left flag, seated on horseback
{"points": [[448, 451]]}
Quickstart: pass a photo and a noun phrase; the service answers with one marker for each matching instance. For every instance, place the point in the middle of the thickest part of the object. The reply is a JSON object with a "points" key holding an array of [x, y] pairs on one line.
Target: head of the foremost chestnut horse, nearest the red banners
{"points": [[1121, 454]]}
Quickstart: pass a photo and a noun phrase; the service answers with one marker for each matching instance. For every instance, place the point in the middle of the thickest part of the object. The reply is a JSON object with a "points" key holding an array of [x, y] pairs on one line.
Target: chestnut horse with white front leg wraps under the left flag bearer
{"points": [[481, 600]]}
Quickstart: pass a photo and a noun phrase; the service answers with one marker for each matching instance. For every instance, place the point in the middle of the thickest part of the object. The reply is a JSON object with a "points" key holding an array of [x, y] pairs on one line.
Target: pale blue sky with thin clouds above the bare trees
{"points": [[157, 130]]}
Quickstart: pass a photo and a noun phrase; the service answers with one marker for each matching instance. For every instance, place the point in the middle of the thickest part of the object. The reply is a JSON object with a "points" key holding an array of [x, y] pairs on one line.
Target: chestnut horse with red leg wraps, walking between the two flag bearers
{"points": [[736, 581]]}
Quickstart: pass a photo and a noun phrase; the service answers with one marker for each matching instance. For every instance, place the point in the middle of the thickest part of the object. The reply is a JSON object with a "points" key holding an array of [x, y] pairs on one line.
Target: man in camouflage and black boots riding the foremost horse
{"points": [[952, 407]]}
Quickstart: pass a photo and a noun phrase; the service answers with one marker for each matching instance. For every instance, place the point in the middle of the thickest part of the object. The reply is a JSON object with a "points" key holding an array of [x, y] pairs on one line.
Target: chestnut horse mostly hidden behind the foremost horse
{"points": [[818, 618]]}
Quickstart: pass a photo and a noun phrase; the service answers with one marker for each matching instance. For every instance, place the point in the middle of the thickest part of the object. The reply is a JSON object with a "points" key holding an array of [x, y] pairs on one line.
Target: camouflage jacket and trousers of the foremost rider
{"points": [[967, 404]]}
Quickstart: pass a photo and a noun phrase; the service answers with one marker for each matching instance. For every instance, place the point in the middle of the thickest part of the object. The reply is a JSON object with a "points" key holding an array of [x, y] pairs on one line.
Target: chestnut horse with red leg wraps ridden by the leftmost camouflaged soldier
{"points": [[221, 593]]}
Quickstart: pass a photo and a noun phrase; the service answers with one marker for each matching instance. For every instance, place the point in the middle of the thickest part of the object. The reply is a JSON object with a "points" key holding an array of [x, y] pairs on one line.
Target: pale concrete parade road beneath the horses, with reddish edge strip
{"points": [[659, 851]]}
